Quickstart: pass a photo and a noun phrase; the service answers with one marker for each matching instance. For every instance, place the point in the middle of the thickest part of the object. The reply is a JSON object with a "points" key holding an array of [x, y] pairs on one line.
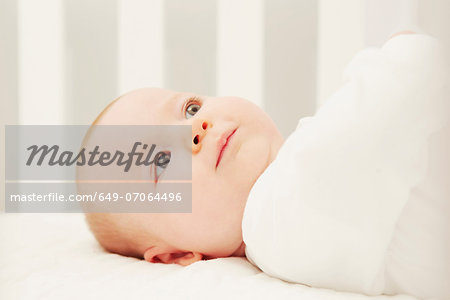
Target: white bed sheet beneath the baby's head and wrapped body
{"points": [[54, 256]]}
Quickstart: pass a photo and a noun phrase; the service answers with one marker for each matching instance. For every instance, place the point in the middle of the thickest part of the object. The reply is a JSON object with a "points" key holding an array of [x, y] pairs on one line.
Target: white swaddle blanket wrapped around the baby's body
{"points": [[358, 196]]}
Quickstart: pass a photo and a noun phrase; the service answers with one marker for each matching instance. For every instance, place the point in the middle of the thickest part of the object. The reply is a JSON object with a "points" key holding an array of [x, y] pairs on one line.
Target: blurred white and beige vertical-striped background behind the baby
{"points": [[63, 61]]}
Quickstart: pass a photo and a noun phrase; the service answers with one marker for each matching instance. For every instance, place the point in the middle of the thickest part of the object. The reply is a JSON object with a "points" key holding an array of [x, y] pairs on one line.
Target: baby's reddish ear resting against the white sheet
{"points": [[165, 255]]}
